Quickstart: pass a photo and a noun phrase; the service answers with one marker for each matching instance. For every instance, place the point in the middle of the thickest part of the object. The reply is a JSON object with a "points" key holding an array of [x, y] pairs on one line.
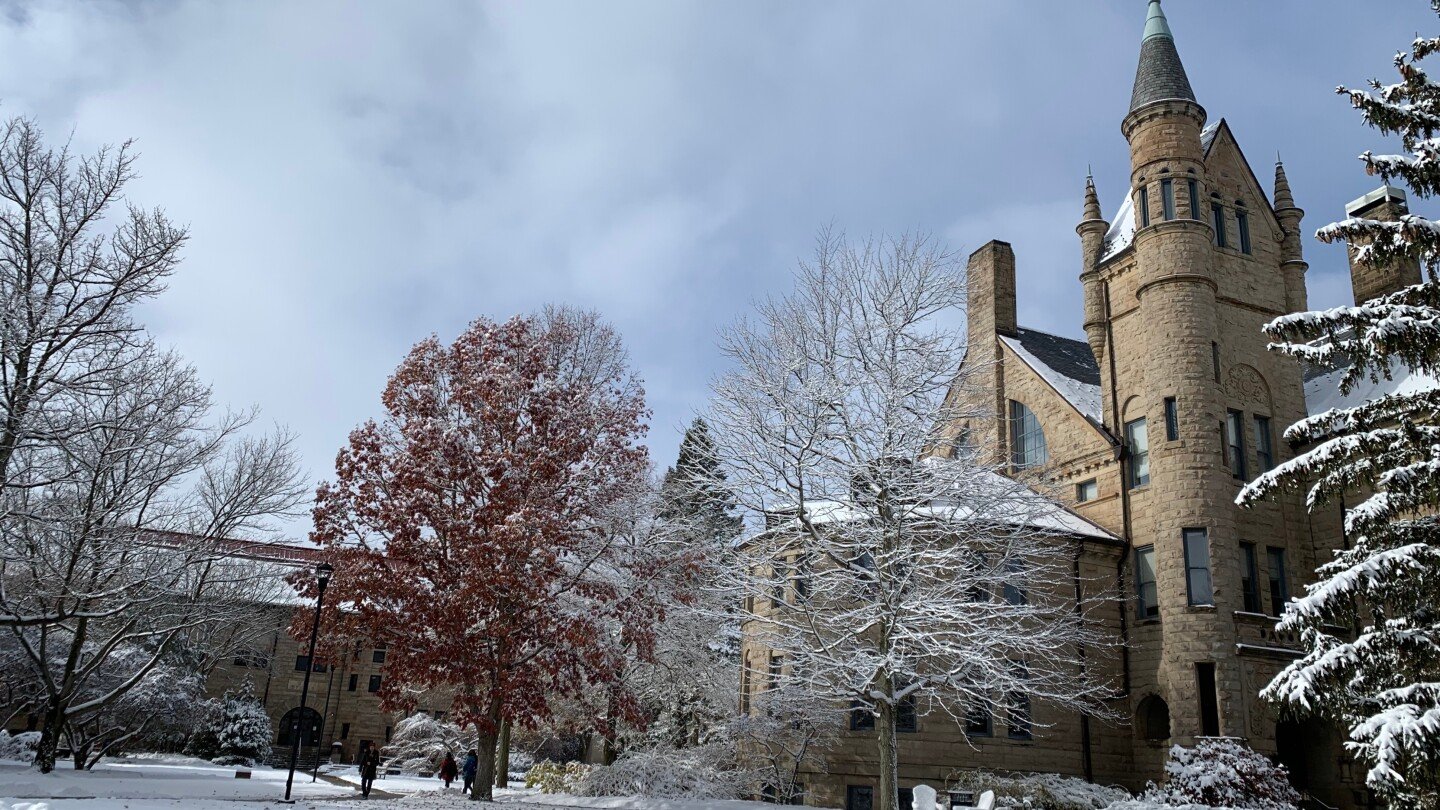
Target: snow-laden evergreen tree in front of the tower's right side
{"points": [[1380, 462]]}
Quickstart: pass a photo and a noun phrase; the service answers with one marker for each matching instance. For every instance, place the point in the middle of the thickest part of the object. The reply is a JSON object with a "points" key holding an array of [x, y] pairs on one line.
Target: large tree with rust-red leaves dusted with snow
{"points": [[470, 527]]}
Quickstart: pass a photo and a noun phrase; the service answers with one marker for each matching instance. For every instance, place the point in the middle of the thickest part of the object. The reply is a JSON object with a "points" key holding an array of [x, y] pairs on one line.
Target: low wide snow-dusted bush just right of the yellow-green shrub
{"points": [[667, 773]]}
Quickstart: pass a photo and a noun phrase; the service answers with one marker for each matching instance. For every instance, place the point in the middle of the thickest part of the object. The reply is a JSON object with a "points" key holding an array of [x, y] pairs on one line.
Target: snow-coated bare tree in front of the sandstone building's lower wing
{"points": [[889, 580]]}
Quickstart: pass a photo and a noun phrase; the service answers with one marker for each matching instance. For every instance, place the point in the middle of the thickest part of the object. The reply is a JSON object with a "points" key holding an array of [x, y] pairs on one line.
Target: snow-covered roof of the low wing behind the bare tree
{"points": [[1006, 501]]}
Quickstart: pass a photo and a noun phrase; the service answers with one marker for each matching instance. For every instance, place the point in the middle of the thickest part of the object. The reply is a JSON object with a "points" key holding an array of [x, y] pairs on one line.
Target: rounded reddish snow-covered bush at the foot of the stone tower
{"points": [[1225, 773]]}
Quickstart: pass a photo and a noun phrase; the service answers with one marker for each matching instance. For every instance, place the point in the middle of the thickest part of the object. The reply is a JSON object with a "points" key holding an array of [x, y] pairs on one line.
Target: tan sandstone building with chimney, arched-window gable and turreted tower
{"points": [[1147, 430]]}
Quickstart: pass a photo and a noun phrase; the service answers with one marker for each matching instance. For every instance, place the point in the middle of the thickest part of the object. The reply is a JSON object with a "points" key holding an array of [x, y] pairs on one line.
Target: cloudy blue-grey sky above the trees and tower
{"points": [[358, 177]]}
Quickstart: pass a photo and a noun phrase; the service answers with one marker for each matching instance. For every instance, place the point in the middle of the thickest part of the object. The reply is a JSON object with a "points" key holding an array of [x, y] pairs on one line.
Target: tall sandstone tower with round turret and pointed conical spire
{"points": [[1176, 293]]}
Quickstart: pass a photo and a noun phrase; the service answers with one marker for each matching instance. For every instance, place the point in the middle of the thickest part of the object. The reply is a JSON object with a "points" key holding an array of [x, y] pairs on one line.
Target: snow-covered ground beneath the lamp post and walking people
{"points": [[179, 783]]}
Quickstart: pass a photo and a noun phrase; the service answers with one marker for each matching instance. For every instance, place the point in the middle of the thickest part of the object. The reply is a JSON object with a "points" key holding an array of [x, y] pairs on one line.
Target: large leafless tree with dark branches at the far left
{"points": [[117, 484]]}
